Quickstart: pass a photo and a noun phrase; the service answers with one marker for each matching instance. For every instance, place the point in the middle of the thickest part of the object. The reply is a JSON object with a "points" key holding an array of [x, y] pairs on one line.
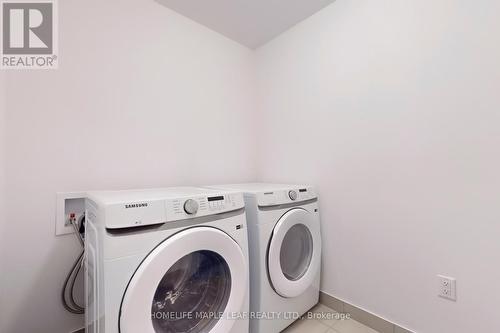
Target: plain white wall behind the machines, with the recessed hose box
{"points": [[143, 98]]}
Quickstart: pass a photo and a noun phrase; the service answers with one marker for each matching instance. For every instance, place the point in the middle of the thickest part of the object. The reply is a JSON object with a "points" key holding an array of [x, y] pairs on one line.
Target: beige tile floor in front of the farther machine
{"points": [[322, 319]]}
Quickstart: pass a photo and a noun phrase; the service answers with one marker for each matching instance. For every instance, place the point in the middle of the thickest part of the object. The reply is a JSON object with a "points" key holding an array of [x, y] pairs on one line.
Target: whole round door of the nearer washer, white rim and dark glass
{"points": [[191, 282]]}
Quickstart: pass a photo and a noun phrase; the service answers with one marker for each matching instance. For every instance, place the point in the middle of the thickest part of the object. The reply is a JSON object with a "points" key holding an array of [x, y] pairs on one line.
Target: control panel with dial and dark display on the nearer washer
{"points": [[183, 208]]}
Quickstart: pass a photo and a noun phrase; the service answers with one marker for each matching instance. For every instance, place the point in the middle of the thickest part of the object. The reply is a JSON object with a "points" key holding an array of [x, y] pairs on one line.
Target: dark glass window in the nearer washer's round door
{"points": [[191, 294]]}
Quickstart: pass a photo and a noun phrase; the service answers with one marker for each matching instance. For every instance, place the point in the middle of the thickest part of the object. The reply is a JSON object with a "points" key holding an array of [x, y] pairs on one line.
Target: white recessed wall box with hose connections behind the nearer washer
{"points": [[68, 203]]}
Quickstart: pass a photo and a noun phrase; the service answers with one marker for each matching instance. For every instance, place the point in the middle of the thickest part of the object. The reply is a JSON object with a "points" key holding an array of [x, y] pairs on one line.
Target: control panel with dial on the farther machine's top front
{"points": [[283, 197]]}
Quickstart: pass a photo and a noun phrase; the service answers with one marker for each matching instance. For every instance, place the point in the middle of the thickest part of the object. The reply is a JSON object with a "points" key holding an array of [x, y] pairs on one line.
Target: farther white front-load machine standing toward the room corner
{"points": [[285, 252]]}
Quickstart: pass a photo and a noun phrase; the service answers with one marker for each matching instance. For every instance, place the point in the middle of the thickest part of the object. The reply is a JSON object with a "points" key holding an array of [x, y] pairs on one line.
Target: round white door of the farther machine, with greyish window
{"points": [[294, 255]]}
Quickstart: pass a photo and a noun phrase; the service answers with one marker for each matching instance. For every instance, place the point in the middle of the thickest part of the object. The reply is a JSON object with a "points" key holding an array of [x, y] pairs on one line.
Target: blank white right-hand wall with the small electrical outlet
{"points": [[392, 108]]}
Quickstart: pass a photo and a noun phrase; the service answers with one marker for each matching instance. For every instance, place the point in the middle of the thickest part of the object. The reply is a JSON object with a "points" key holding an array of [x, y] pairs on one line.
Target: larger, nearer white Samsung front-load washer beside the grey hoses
{"points": [[166, 260]]}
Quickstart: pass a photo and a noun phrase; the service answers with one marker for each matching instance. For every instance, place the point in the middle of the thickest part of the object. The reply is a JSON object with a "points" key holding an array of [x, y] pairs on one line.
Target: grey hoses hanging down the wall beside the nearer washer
{"points": [[67, 294]]}
